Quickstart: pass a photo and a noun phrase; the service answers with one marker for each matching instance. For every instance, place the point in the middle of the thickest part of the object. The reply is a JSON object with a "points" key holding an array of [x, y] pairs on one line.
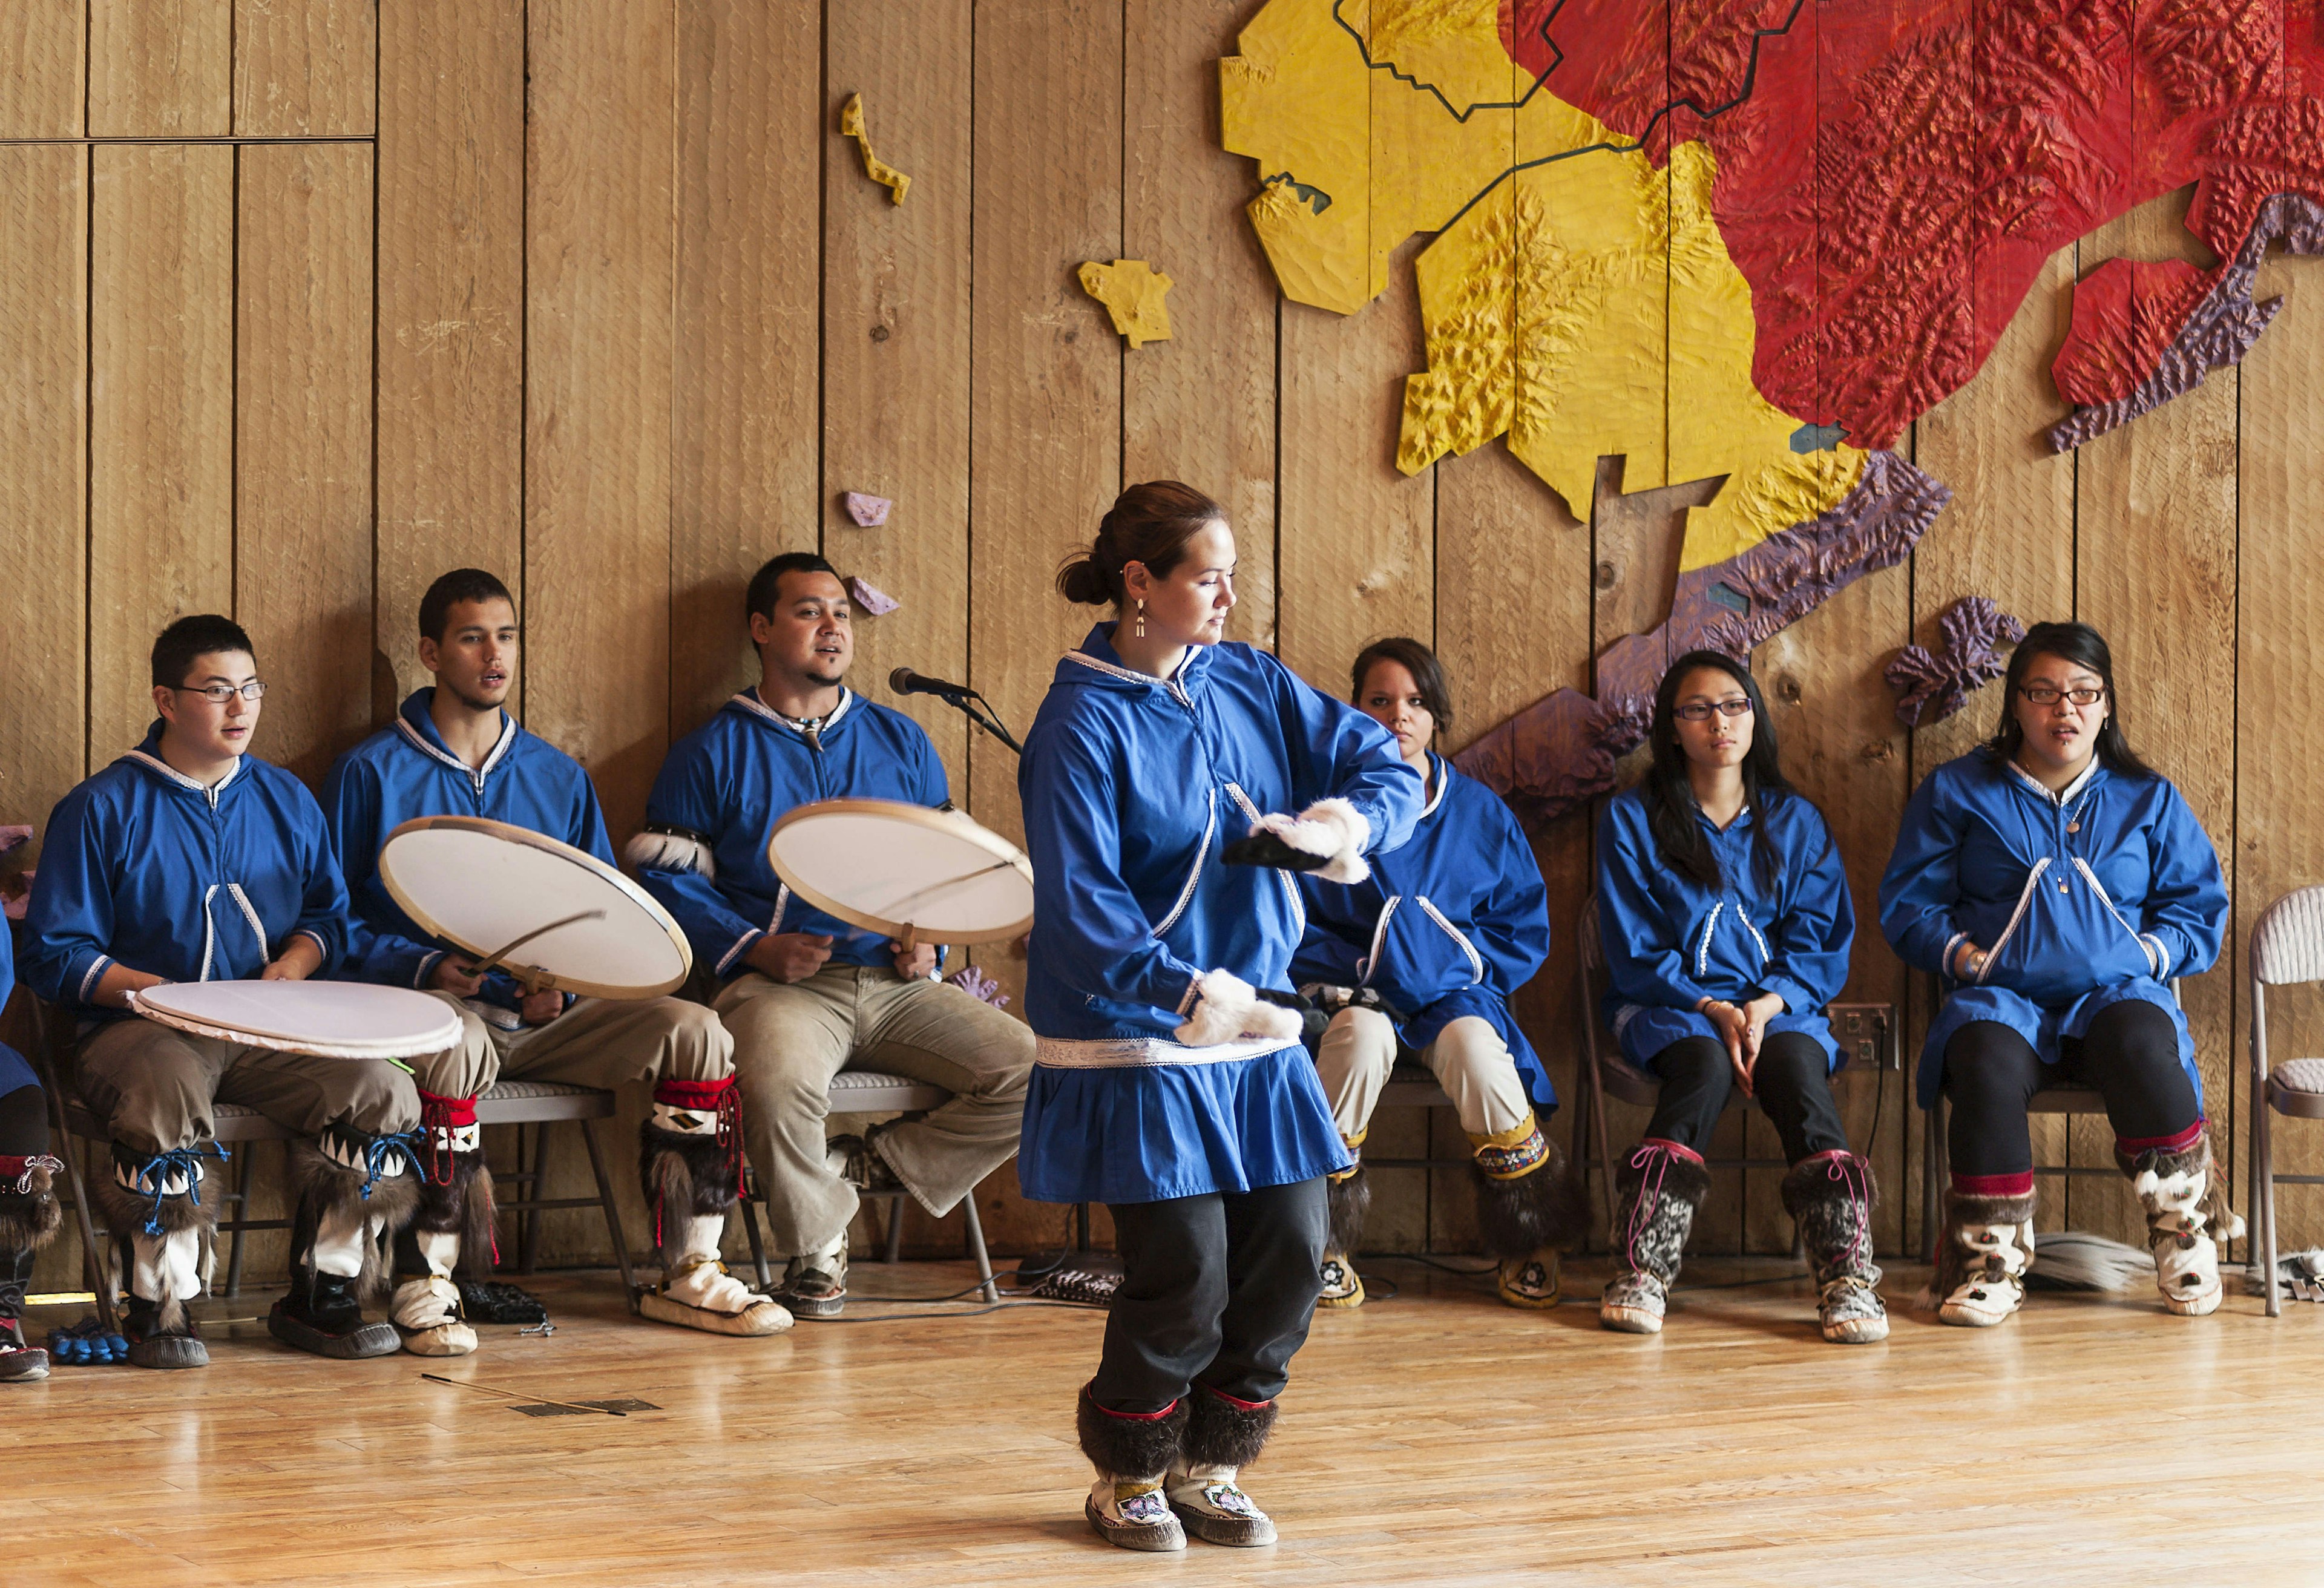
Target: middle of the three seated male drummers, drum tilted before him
{"points": [[457, 752]]}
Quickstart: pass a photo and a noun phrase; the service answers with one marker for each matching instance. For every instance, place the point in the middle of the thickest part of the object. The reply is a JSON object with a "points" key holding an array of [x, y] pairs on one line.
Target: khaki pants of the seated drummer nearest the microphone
{"points": [[794, 1038]]}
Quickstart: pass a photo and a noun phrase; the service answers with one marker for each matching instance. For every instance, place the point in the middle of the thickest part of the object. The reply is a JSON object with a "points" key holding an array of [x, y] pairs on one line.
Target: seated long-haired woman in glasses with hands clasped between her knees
{"points": [[1726, 922]]}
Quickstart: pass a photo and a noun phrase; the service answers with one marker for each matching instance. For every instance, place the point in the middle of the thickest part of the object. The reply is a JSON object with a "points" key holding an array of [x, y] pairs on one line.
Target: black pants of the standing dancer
{"points": [[1217, 1292]]}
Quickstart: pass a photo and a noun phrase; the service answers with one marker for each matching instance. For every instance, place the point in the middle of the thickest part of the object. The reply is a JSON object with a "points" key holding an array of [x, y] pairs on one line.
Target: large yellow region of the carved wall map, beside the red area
{"points": [[1575, 301]]}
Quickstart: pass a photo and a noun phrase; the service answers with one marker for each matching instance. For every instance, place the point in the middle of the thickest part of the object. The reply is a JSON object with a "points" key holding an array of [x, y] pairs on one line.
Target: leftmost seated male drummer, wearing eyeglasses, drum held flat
{"points": [[194, 861]]}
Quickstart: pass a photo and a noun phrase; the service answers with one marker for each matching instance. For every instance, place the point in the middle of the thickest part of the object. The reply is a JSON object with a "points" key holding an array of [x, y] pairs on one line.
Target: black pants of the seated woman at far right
{"points": [[2130, 1057]]}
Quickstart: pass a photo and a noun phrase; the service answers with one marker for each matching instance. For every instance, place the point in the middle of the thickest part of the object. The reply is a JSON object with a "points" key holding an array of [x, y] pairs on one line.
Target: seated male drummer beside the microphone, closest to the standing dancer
{"points": [[808, 994]]}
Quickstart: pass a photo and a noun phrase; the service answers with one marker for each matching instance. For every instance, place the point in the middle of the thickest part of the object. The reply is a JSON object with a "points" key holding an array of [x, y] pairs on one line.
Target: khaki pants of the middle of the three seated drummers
{"points": [[598, 1043]]}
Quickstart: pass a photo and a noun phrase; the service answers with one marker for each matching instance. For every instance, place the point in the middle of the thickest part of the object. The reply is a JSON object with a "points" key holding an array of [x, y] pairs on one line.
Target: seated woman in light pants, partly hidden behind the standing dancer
{"points": [[1444, 936]]}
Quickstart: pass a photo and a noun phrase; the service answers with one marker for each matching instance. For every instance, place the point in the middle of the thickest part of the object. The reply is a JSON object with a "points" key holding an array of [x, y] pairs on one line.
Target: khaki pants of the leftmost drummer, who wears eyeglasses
{"points": [[159, 1087]]}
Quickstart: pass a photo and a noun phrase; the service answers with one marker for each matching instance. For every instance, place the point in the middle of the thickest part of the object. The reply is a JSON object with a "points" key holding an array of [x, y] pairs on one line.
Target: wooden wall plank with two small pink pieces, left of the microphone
{"points": [[896, 334]]}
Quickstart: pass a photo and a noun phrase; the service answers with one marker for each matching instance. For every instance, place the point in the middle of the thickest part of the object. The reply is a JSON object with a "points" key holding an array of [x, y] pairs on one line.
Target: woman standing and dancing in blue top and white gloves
{"points": [[1168, 1085]]}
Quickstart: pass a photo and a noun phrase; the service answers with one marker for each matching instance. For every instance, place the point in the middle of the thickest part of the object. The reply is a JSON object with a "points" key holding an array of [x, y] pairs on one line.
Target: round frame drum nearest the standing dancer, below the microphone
{"points": [[905, 871]]}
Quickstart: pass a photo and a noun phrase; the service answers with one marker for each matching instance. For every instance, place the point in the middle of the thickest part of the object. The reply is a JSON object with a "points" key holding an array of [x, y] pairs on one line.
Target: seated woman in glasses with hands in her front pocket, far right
{"points": [[2056, 885]]}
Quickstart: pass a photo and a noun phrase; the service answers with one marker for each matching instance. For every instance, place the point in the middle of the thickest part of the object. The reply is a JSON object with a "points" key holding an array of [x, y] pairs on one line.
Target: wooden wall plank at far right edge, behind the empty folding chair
{"points": [[2279, 838]]}
